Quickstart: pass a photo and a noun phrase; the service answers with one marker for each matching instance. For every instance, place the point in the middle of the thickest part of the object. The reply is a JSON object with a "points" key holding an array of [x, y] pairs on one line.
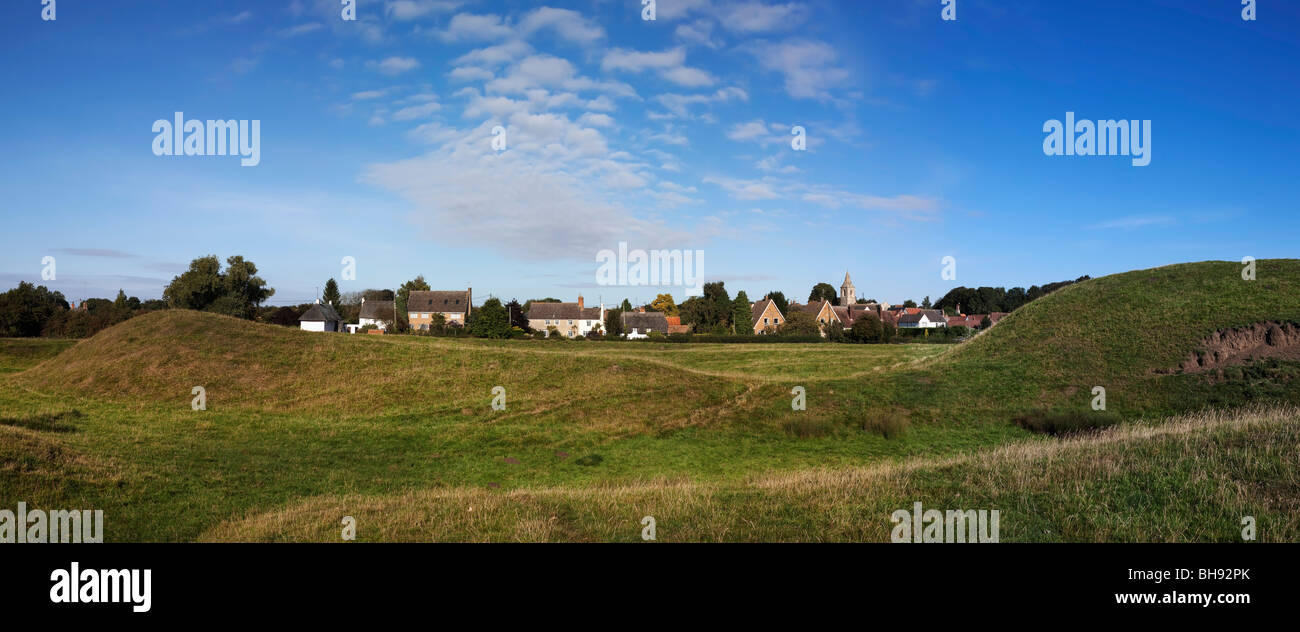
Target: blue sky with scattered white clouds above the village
{"points": [[925, 140]]}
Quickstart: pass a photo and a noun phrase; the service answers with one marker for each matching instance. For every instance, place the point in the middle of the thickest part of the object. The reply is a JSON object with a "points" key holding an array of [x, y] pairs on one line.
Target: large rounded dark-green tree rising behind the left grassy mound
{"points": [[236, 292]]}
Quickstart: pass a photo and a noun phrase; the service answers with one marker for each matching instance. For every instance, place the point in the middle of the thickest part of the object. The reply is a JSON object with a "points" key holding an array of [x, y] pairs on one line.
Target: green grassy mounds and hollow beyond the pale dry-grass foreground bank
{"points": [[404, 415]]}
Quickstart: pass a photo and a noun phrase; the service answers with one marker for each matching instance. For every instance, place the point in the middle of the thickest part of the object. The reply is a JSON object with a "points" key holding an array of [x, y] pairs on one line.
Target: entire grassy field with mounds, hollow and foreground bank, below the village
{"points": [[305, 428]]}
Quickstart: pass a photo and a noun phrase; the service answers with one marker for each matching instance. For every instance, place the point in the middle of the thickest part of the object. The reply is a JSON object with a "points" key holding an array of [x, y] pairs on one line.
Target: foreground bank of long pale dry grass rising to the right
{"points": [[1188, 479]]}
